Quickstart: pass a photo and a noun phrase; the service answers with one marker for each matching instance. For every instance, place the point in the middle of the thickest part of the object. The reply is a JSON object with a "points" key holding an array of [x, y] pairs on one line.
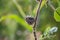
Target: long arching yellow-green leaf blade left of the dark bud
{"points": [[18, 19]]}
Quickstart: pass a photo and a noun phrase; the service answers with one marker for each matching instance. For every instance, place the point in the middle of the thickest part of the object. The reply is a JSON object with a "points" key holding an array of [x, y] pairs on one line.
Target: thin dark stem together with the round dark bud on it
{"points": [[30, 20]]}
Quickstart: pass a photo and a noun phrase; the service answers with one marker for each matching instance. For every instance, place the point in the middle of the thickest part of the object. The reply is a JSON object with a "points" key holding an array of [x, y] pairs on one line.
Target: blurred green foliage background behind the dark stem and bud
{"points": [[13, 25]]}
